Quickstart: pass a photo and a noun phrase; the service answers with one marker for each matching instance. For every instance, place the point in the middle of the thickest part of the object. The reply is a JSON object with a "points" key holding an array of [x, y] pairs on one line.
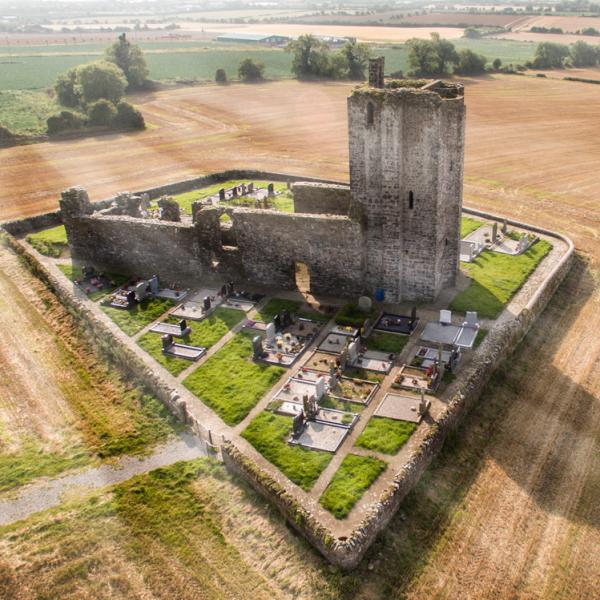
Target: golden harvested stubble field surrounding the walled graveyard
{"points": [[510, 508]]}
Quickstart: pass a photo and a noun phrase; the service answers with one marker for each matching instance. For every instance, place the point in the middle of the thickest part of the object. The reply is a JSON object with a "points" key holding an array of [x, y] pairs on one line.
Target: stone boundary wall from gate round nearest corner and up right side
{"points": [[347, 552]]}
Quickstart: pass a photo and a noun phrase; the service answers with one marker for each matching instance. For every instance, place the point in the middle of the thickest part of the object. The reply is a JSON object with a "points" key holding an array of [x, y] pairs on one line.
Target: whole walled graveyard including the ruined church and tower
{"points": [[318, 343]]}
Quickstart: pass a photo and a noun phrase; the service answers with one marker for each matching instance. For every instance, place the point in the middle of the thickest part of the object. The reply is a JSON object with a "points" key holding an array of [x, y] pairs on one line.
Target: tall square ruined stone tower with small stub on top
{"points": [[406, 175]]}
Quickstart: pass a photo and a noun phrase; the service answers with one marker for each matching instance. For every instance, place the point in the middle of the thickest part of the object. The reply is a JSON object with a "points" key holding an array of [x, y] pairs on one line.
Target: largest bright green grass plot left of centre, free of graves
{"points": [[230, 382]]}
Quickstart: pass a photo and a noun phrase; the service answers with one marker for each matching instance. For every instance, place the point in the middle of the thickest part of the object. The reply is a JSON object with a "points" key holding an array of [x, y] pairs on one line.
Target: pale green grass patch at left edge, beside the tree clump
{"points": [[25, 112]]}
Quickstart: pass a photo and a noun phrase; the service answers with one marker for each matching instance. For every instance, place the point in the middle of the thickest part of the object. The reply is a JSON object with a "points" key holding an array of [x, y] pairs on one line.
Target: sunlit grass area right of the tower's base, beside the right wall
{"points": [[496, 278]]}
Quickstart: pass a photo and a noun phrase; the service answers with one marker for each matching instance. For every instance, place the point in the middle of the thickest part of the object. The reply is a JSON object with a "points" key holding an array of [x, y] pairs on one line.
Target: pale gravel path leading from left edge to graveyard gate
{"points": [[47, 494]]}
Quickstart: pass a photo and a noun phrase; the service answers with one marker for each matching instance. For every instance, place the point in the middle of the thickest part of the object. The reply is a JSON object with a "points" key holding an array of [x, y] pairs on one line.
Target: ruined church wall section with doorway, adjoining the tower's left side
{"points": [[271, 242]]}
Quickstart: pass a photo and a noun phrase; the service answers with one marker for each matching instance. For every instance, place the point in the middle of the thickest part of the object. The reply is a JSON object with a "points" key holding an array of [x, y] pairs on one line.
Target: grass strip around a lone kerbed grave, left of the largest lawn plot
{"points": [[205, 333]]}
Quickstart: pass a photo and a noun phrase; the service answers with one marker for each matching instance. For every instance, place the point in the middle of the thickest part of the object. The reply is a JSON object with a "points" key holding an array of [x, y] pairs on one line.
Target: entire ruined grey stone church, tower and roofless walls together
{"points": [[394, 231]]}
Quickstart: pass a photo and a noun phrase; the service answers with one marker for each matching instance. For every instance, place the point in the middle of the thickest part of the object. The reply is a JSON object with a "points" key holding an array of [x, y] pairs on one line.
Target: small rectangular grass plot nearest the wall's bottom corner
{"points": [[353, 478]]}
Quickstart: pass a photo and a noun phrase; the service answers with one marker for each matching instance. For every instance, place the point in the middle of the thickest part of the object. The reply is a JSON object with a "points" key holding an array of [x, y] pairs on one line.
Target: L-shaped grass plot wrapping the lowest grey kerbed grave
{"points": [[269, 433]]}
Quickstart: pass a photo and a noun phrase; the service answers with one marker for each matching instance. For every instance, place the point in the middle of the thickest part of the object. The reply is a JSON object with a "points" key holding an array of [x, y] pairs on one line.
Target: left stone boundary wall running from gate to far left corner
{"points": [[108, 343]]}
